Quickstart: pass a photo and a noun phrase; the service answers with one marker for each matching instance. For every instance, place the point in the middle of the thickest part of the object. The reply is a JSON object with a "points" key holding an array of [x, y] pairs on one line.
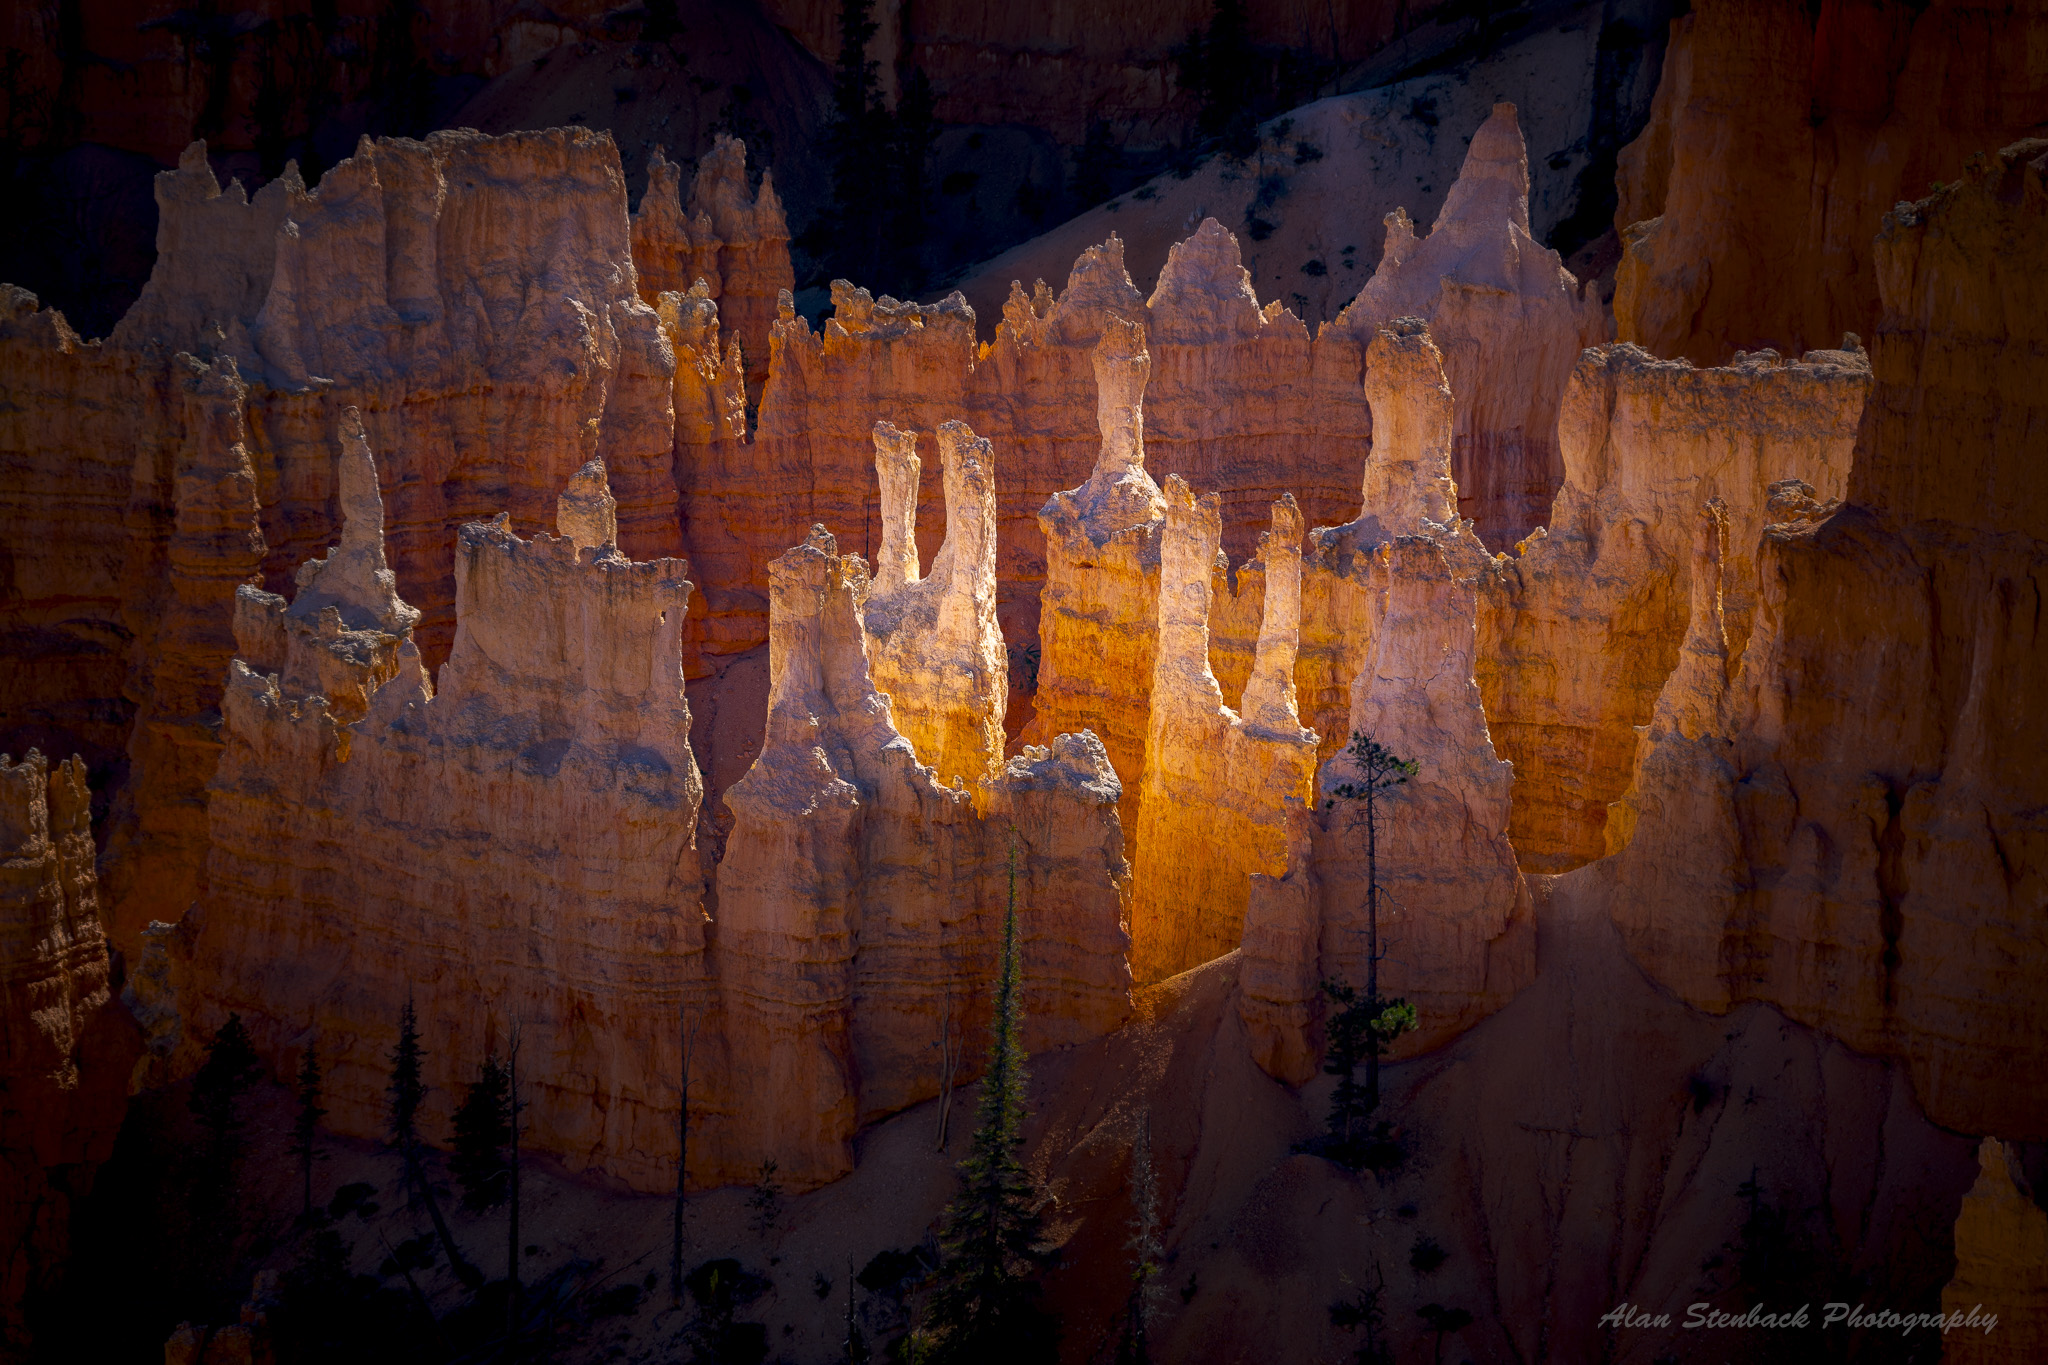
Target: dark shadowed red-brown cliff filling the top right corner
{"points": [[1781, 136]]}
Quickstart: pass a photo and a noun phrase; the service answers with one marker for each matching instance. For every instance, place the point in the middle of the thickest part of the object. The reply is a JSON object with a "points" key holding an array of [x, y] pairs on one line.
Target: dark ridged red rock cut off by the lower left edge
{"points": [[65, 1057]]}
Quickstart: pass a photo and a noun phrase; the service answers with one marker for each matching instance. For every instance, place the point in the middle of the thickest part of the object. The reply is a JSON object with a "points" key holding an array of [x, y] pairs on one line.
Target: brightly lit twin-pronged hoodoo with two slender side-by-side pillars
{"points": [[933, 642]]}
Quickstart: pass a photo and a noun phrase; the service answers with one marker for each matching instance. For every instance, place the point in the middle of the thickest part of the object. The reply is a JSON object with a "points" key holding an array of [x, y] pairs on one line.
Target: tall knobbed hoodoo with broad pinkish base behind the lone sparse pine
{"points": [[1453, 897]]}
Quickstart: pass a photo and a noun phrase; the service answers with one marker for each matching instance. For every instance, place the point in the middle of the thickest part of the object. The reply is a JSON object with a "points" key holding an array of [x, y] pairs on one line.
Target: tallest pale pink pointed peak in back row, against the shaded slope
{"points": [[1508, 318]]}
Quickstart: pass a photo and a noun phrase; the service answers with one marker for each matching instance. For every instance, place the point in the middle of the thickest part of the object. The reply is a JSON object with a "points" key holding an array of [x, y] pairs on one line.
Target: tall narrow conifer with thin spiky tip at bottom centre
{"points": [[986, 1298]]}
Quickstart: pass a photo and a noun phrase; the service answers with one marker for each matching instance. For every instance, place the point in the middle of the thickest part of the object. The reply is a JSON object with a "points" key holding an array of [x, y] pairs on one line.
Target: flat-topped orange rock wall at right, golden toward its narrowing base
{"points": [[1584, 623]]}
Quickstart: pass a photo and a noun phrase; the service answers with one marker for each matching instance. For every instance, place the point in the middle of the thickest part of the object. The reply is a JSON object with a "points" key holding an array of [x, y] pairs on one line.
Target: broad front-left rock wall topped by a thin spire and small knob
{"points": [[509, 850]]}
